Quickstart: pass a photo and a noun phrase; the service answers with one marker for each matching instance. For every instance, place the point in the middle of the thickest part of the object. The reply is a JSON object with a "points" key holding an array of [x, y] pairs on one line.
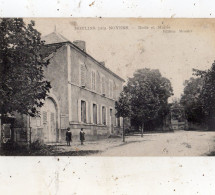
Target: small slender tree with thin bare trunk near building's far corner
{"points": [[123, 109]]}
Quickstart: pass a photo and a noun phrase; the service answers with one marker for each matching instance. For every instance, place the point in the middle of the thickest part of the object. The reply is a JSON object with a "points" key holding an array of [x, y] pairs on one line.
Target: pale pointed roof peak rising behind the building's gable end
{"points": [[54, 37]]}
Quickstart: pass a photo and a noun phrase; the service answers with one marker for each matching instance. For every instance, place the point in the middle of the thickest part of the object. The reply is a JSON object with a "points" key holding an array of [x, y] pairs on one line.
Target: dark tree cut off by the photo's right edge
{"points": [[207, 94]]}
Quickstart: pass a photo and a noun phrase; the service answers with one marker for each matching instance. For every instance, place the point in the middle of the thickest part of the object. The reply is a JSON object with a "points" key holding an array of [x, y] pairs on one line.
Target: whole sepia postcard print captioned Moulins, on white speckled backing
{"points": [[107, 87]]}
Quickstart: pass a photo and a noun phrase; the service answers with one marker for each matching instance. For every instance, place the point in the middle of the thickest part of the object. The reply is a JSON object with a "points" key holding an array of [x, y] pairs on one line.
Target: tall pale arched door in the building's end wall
{"points": [[49, 115]]}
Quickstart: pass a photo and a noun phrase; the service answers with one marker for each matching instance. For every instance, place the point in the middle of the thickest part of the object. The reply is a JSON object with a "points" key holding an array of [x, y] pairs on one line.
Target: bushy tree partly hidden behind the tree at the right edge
{"points": [[192, 102]]}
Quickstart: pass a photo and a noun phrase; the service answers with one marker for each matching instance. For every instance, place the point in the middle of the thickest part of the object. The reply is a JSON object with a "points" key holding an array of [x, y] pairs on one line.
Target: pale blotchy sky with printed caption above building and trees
{"points": [[174, 46]]}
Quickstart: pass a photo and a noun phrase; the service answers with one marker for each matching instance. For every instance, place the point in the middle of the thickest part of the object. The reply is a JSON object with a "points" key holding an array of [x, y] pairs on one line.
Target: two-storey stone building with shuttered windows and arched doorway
{"points": [[83, 94]]}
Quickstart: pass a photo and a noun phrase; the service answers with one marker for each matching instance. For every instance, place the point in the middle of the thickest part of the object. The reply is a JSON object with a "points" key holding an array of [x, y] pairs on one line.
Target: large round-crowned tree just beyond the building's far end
{"points": [[148, 93]]}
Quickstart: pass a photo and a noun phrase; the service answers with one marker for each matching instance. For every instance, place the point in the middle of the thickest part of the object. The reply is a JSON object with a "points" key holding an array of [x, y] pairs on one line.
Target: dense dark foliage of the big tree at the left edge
{"points": [[22, 83]]}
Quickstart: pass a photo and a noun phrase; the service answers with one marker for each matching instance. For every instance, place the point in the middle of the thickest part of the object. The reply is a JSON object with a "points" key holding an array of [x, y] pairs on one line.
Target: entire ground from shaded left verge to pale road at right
{"points": [[178, 143]]}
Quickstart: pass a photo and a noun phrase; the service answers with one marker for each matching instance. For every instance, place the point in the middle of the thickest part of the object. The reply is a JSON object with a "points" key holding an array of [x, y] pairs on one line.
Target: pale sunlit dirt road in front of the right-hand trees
{"points": [[179, 143]]}
